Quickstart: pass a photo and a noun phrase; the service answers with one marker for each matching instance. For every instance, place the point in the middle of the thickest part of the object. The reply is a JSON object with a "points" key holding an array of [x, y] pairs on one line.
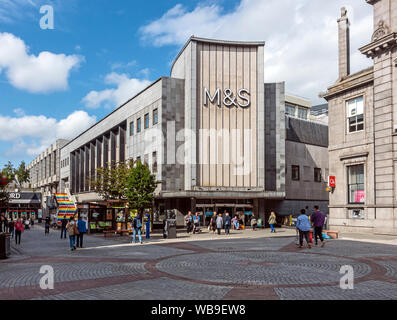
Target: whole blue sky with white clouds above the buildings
{"points": [[57, 82]]}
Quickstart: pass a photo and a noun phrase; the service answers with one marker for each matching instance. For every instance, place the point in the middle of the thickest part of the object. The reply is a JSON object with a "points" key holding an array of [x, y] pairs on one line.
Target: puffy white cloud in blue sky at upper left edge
{"points": [[44, 73]]}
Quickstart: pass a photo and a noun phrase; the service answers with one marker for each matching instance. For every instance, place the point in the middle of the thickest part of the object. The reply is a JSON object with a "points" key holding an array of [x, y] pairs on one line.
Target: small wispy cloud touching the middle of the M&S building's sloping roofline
{"points": [[126, 89]]}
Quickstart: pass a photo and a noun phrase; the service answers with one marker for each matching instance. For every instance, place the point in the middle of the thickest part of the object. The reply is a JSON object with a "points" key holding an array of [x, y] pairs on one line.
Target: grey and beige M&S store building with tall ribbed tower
{"points": [[214, 133]]}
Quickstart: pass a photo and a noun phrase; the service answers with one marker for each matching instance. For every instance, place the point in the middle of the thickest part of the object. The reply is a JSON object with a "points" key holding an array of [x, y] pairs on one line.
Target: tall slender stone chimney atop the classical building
{"points": [[344, 45]]}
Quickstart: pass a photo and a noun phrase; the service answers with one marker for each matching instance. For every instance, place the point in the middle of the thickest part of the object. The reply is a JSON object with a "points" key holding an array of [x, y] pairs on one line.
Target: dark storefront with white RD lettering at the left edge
{"points": [[23, 205]]}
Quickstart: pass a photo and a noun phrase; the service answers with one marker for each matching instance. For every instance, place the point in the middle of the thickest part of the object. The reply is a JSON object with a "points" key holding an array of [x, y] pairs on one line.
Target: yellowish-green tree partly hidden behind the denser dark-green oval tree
{"points": [[110, 181]]}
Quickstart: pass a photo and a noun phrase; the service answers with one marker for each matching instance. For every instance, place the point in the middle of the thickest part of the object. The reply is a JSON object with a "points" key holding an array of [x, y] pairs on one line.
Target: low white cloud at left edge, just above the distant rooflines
{"points": [[41, 131]]}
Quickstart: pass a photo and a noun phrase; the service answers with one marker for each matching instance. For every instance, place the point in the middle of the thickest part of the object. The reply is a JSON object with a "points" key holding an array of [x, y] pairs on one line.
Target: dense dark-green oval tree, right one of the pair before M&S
{"points": [[141, 184]]}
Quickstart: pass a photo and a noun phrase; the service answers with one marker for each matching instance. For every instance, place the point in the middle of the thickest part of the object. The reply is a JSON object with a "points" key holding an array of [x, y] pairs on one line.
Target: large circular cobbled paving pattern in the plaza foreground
{"points": [[260, 268]]}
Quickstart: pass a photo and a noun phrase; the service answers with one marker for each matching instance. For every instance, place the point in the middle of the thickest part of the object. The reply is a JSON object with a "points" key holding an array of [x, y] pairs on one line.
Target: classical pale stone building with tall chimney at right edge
{"points": [[362, 127]]}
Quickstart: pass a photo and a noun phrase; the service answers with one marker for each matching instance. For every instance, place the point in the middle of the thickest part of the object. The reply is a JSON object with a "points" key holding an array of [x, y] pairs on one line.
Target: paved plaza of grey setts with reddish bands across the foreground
{"points": [[246, 265]]}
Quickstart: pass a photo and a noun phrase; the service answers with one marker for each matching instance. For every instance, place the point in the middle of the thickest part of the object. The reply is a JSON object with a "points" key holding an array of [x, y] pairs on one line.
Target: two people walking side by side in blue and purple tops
{"points": [[304, 226]]}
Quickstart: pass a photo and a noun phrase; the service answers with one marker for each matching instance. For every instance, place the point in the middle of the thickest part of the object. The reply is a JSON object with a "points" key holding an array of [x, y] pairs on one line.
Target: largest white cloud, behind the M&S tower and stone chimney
{"points": [[301, 36]]}
